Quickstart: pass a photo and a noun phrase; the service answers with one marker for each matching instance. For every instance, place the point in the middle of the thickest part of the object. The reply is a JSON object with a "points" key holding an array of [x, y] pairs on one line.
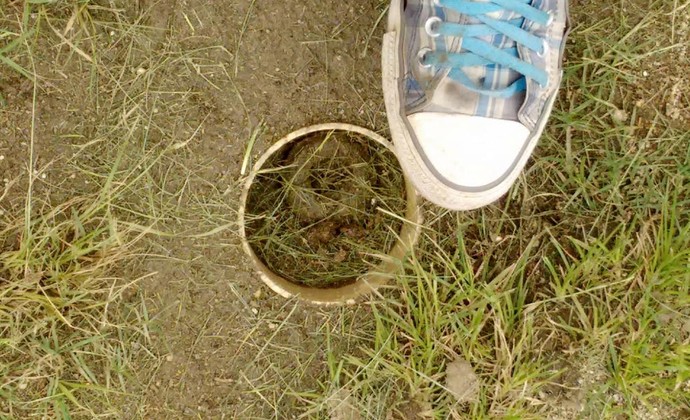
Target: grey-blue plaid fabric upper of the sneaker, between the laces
{"points": [[434, 90]]}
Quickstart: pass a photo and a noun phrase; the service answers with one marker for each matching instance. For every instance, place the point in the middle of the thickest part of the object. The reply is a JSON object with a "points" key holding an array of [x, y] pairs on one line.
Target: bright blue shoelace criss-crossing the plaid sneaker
{"points": [[478, 52]]}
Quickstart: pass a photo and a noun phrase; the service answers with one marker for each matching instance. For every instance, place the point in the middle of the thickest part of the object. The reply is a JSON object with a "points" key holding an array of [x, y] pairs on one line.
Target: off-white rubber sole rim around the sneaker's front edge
{"points": [[427, 183]]}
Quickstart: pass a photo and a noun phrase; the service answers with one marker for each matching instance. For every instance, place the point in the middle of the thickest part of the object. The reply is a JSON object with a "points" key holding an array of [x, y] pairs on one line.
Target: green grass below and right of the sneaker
{"points": [[570, 297]]}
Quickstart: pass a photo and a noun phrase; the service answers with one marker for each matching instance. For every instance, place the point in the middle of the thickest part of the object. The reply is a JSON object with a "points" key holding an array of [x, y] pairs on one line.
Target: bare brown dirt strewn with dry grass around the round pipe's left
{"points": [[202, 74]]}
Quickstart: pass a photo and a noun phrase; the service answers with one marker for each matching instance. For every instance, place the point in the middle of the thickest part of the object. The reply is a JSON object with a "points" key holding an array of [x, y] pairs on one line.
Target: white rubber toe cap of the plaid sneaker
{"points": [[470, 152]]}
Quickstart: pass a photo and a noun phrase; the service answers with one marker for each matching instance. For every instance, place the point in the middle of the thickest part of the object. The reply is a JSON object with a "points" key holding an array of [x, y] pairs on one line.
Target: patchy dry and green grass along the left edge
{"points": [[74, 325]]}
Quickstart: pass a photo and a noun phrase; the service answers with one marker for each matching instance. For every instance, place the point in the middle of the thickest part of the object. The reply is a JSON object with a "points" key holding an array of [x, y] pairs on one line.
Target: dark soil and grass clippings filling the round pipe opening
{"points": [[314, 213]]}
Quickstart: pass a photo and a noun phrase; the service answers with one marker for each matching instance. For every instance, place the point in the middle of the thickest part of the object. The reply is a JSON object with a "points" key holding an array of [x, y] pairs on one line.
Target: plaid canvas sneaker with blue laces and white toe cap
{"points": [[469, 86]]}
